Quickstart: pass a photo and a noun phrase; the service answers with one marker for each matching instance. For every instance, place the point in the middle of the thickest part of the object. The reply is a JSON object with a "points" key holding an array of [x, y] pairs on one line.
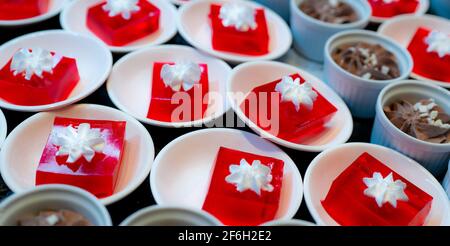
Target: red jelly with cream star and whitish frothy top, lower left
{"points": [[83, 153]]}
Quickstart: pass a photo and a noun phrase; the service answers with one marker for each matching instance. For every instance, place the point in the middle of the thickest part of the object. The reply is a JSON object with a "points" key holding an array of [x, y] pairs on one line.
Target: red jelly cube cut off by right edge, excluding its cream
{"points": [[440, 70]]}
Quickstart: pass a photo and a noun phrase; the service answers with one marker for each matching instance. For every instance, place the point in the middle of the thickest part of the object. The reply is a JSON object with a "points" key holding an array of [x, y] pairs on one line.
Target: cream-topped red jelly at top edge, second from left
{"points": [[119, 22]]}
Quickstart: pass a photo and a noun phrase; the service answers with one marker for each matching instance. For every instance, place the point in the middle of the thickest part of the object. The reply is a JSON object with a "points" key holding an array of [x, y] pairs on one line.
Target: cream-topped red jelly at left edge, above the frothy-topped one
{"points": [[38, 77]]}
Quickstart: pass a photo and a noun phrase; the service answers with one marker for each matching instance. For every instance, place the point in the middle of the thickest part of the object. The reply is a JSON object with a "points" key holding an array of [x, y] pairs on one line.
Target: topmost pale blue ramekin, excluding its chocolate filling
{"points": [[310, 35]]}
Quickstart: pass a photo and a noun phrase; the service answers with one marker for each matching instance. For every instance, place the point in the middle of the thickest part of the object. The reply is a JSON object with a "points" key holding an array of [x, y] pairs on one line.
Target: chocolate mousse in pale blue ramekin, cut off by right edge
{"points": [[428, 146]]}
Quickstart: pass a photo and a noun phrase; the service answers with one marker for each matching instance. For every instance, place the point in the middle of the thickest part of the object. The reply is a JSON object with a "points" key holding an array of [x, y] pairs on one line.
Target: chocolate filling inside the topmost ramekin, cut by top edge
{"points": [[331, 11]]}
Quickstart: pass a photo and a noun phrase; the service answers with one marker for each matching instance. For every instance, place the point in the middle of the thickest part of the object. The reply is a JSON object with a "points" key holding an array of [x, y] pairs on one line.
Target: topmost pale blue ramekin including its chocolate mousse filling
{"points": [[313, 24]]}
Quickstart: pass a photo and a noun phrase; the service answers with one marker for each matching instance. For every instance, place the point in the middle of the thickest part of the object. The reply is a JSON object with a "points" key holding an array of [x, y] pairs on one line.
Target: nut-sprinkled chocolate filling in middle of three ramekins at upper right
{"points": [[369, 61]]}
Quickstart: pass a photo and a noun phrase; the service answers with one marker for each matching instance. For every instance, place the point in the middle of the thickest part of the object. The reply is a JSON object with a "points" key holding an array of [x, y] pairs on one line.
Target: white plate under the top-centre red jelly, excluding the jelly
{"points": [[193, 25]]}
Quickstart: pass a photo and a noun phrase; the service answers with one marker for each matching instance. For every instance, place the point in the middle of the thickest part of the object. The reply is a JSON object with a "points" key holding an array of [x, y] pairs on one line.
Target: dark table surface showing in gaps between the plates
{"points": [[142, 196]]}
